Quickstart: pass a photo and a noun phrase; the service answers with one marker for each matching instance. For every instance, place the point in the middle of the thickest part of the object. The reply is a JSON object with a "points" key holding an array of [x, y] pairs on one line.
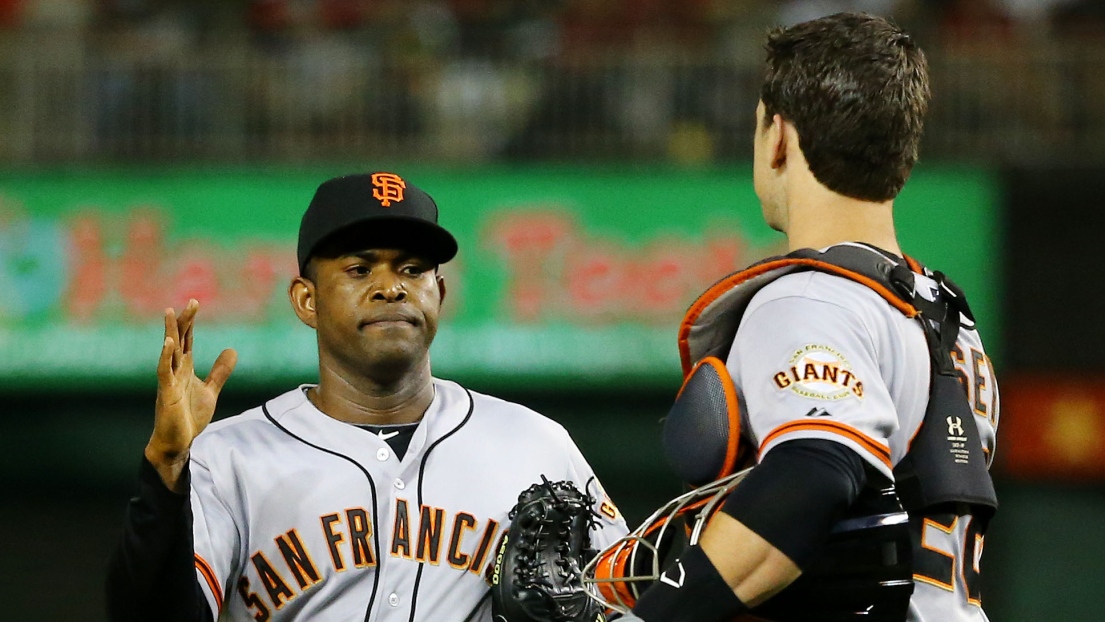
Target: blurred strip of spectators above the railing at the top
{"points": [[534, 29]]}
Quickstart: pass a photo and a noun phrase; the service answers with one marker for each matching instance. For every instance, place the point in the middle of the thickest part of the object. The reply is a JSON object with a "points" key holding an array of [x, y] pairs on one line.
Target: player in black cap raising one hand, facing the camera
{"points": [[380, 493]]}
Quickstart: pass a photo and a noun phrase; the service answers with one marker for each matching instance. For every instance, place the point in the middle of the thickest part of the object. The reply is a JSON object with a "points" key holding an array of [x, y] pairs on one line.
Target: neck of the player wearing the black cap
{"points": [[356, 399]]}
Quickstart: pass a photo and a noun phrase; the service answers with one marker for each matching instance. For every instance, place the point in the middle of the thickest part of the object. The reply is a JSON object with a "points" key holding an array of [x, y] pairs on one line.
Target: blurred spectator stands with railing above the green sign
{"points": [[462, 79]]}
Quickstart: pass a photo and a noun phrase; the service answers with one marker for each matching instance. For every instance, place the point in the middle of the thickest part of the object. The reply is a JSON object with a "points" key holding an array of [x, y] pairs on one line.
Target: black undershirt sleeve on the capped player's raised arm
{"points": [[152, 574]]}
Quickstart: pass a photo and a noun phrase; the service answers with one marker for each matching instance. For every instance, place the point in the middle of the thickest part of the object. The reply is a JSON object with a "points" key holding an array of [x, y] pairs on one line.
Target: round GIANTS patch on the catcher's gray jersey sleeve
{"points": [[819, 373]]}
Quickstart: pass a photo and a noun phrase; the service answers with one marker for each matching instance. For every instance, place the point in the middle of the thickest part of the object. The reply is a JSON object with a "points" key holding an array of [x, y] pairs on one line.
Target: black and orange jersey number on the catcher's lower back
{"points": [[943, 550]]}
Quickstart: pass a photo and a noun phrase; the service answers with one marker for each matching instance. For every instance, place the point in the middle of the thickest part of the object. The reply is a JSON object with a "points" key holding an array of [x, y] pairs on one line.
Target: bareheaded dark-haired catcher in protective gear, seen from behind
{"points": [[849, 379]]}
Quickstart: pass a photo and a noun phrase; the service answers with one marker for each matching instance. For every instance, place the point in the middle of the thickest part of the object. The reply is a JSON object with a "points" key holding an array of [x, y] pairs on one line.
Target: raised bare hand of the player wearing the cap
{"points": [[185, 404]]}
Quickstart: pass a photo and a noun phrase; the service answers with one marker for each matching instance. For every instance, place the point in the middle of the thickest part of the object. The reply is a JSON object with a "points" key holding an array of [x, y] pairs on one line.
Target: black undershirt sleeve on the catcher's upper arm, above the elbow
{"points": [[795, 497]]}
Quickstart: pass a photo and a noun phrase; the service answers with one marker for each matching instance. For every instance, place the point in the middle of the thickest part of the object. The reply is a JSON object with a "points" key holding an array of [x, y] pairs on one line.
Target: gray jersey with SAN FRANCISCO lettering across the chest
{"points": [[300, 516]]}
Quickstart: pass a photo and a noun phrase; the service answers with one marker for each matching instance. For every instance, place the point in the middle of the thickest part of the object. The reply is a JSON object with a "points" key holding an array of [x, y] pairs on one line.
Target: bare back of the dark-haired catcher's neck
{"points": [[818, 218]]}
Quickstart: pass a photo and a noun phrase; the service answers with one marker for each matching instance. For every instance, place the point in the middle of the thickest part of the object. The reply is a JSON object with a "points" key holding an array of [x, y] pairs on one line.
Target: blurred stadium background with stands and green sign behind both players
{"points": [[594, 160]]}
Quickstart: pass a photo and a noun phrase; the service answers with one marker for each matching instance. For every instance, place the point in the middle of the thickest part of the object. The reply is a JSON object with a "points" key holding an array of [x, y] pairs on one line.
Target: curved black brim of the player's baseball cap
{"points": [[405, 234]]}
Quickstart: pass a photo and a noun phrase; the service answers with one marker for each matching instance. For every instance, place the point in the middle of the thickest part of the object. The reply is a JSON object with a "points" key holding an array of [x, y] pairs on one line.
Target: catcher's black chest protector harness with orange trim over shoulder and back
{"points": [[945, 465]]}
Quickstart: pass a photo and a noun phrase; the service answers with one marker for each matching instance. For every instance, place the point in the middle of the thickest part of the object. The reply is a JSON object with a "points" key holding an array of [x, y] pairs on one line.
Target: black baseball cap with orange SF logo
{"points": [[380, 209]]}
